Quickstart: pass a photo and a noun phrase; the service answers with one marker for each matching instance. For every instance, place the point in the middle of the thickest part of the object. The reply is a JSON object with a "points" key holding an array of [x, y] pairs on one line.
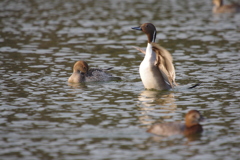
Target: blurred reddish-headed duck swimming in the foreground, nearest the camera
{"points": [[190, 127]]}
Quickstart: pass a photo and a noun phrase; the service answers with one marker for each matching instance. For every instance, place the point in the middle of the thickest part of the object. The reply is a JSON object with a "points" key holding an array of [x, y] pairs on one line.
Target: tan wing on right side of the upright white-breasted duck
{"points": [[165, 65]]}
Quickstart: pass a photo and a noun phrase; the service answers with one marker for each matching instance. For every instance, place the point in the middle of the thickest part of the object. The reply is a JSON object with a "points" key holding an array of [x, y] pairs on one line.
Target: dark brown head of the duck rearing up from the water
{"points": [[149, 29]]}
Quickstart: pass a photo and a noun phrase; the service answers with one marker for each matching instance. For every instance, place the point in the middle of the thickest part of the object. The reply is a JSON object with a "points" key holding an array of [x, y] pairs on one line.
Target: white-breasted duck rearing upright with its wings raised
{"points": [[156, 69]]}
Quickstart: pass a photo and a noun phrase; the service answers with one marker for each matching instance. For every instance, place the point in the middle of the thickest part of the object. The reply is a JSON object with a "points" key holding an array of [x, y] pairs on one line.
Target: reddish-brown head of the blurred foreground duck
{"points": [[193, 117]]}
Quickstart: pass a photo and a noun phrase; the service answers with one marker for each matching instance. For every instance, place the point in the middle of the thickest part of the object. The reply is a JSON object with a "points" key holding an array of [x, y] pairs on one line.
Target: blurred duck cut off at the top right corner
{"points": [[220, 8]]}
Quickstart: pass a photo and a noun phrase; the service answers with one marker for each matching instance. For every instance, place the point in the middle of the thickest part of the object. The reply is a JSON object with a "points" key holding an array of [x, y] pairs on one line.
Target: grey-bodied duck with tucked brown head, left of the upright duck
{"points": [[82, 73]]}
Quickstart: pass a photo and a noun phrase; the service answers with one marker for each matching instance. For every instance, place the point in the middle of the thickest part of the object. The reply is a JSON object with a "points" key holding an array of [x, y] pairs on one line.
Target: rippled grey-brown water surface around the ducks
{"points": [[42, 116]]}
